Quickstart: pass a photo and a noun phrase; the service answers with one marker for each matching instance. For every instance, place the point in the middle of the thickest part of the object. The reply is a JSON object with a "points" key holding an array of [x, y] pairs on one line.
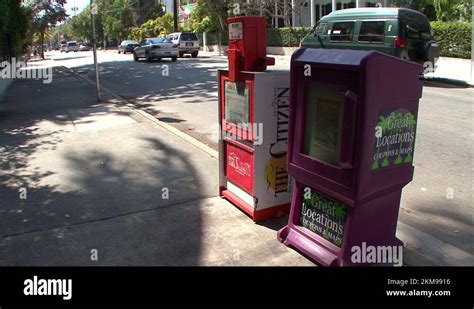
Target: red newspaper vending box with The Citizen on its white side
{"points": [[253, 118]]}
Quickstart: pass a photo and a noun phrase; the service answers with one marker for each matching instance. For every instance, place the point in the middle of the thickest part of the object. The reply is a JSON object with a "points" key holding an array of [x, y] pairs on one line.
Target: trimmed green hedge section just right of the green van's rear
{"points": [[453, 38]]}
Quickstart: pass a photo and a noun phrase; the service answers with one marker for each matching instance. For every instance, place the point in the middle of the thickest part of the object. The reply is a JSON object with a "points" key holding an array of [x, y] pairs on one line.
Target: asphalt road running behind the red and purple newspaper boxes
{"points": [[438, 201]]}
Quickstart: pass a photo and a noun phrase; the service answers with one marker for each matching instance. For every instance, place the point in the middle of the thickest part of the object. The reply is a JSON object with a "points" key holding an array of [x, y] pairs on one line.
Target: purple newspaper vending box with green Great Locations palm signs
{"points": [[353, 117]]}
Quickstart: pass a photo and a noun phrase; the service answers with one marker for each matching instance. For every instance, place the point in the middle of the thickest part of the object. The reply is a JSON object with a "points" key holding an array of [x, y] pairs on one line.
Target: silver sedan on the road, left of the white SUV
{"points": [[156, 48]]}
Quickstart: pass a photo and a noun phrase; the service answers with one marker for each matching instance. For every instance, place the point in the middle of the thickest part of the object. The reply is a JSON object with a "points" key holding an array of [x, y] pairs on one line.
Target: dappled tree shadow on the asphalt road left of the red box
{"points": [[189, 80]]}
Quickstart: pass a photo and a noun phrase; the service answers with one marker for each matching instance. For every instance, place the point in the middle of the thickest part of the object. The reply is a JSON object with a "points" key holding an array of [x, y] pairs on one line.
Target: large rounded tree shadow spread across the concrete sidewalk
{"points": [[125, 197]]}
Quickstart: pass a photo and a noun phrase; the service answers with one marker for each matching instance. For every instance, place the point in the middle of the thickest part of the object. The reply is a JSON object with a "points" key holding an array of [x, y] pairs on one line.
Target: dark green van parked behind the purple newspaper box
{"points": [[399, 32]]}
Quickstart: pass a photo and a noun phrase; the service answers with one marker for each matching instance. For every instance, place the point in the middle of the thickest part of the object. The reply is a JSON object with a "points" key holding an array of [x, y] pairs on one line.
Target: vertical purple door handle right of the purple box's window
{"points": [[348, 131]]}
